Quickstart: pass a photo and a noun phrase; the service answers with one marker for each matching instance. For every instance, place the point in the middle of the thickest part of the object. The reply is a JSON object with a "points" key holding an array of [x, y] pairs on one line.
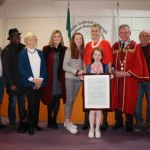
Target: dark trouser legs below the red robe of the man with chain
{"points": [[119, 119]]}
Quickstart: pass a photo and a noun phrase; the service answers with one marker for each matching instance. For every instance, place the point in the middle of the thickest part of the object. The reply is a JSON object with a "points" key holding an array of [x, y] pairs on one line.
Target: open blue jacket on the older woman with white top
{"points": [[26, 71]]}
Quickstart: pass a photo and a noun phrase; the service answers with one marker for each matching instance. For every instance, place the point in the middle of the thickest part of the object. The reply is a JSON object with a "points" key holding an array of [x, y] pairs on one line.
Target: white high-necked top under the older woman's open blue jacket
{"points": [[35, 63]]}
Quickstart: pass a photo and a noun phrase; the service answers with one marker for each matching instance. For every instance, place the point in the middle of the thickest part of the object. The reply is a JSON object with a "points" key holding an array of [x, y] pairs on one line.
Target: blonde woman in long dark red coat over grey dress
{"points": [[55, 88]]}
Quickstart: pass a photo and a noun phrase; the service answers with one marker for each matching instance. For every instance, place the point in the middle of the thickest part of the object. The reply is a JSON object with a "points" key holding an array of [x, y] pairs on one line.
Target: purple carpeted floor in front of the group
{"points": [[61, 139]]}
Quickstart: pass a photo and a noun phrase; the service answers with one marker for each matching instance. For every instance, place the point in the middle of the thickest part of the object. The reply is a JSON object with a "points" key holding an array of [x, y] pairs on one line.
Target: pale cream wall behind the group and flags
{"points": [[43, 16]]}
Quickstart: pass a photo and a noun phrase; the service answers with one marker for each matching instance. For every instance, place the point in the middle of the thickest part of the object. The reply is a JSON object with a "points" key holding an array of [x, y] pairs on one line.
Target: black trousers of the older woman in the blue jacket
{"points": [[33, 98]]}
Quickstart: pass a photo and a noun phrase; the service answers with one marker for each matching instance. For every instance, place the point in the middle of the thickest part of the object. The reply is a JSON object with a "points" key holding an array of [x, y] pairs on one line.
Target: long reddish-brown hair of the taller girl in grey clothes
{"points": [[74, 52]]}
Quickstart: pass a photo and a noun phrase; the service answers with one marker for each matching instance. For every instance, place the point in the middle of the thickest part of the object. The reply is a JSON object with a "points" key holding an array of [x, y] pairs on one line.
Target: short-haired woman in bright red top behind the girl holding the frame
{"points": [[97, 41]]}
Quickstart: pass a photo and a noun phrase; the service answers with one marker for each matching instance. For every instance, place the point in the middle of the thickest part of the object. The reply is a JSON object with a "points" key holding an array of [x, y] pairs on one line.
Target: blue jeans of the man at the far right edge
{"points": [[143, 87]]}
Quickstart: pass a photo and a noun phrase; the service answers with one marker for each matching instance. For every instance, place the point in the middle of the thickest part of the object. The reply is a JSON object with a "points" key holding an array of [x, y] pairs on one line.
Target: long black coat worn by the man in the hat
{"points": [[10, 63]]}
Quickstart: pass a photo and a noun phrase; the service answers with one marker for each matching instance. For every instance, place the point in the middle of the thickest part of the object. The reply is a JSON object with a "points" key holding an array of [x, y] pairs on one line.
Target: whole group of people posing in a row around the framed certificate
{"points": [[57, 71]]}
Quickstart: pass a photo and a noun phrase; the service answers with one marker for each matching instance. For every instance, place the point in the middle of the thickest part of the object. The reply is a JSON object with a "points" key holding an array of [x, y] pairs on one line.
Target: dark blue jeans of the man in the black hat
{"points": [[12, 108]]}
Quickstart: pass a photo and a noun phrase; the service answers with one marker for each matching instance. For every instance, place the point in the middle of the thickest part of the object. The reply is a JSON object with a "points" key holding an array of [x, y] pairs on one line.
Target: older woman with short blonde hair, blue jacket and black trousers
{"points": [[33, 78]]}
